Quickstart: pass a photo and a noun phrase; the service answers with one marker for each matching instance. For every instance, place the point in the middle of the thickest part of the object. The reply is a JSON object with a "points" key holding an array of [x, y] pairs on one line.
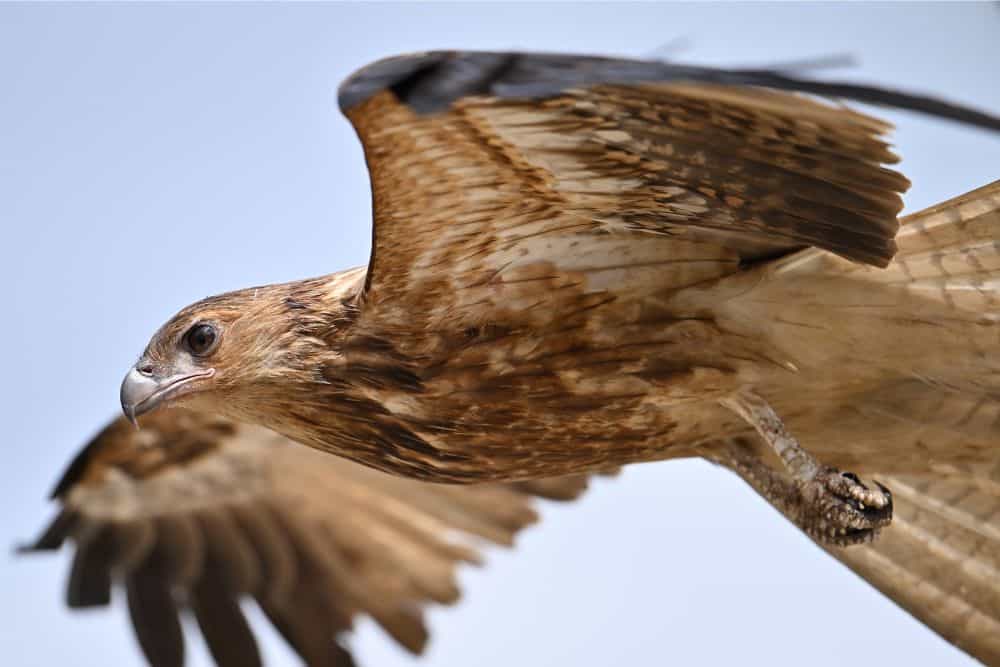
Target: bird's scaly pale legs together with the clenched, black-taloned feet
{"points": [[831, 506]]}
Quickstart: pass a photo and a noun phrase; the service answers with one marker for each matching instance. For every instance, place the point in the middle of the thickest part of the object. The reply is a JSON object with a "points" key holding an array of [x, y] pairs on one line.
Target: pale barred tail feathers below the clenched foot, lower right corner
{"points": [[940, 558]]}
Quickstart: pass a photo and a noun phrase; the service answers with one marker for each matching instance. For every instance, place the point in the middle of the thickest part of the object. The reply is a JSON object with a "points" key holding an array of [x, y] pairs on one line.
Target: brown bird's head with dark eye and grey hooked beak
{"points": [[227, 353]]}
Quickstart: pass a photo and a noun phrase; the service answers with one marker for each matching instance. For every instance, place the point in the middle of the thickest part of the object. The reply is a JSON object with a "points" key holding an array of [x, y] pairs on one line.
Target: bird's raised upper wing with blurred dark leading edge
{"points": [[491, 169]]}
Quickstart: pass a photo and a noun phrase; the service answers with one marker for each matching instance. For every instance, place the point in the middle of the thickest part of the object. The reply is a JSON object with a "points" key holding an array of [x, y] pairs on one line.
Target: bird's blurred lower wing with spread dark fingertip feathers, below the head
{"points": [[194, 513]]}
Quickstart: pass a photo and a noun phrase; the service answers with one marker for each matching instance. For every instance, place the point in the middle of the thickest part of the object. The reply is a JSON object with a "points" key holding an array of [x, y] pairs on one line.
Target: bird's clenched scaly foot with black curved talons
{"points": [[838, 508]]}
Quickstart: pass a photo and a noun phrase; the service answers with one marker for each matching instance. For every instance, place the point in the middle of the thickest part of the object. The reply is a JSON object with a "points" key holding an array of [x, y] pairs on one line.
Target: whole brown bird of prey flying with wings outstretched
{"points": [[578, 263]]}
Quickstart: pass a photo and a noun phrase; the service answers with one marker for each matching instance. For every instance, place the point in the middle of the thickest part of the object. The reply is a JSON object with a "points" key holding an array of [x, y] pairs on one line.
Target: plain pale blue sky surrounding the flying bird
{"points": [[153, 155]]}
